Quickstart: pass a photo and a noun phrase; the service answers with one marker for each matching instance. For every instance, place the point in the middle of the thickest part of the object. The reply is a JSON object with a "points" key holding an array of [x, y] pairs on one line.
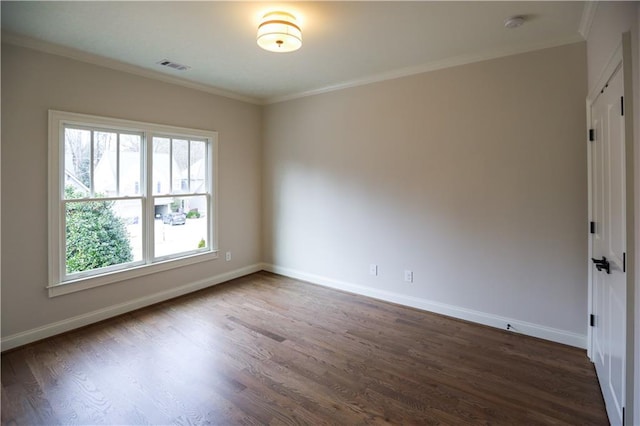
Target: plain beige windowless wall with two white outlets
{"points": [[474, 177]]}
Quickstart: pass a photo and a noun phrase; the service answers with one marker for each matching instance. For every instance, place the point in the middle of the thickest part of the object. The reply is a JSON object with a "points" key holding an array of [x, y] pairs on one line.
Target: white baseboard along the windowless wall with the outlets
{"points": [[522, 327]]}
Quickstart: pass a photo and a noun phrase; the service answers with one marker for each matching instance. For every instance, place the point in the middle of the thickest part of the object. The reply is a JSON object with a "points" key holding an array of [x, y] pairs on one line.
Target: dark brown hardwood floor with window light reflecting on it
{"points": [[265, 349]]}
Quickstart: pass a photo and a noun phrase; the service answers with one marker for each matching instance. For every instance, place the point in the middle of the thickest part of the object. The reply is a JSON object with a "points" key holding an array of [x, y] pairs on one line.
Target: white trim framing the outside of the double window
{"points": [[57, 120]]}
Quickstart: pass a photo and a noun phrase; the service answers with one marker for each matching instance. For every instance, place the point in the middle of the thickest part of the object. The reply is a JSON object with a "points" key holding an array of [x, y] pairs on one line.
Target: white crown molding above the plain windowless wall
{"points": [[432, 66]]}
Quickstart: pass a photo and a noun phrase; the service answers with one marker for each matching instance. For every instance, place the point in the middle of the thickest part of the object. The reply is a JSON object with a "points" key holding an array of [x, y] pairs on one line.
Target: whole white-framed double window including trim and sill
{"points": [[126, 199]]}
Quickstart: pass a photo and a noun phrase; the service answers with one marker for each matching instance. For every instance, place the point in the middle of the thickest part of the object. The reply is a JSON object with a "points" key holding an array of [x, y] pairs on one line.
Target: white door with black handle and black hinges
{"points": [[609, 244]]}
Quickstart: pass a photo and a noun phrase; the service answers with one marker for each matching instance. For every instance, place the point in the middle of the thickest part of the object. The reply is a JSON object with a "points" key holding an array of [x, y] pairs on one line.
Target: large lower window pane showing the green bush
{"points": [[100, 234]]}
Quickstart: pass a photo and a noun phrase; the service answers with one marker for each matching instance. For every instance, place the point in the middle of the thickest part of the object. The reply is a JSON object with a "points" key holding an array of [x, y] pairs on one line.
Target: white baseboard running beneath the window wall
{"points": [[52, 329]]}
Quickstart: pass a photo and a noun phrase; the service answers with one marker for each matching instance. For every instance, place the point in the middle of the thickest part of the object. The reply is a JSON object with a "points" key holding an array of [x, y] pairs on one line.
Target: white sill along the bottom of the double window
{"points": [[117, 276]]}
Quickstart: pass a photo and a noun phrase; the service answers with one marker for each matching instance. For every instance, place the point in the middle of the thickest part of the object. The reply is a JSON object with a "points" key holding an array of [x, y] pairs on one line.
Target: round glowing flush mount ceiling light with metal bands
{"points": [[279, 32]]}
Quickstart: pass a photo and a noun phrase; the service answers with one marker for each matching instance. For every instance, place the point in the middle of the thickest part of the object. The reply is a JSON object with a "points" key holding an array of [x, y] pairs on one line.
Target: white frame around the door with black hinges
{"points": [[621, 55]]}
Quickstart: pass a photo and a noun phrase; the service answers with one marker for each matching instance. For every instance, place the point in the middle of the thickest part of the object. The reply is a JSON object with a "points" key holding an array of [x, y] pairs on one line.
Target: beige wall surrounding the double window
{"points": [[32, 83]]}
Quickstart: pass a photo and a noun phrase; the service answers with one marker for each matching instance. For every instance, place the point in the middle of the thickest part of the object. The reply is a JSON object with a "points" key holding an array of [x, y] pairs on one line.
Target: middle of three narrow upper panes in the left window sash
{"points": [[105, 163]]}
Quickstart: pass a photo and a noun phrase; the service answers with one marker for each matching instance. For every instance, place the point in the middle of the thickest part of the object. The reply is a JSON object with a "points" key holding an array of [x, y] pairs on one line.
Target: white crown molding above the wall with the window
{"points": [[78, 55]]}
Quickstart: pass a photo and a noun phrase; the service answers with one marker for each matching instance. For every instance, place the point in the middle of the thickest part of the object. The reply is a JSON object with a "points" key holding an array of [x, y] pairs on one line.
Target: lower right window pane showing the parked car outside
{"points": [[181, 225]]}
